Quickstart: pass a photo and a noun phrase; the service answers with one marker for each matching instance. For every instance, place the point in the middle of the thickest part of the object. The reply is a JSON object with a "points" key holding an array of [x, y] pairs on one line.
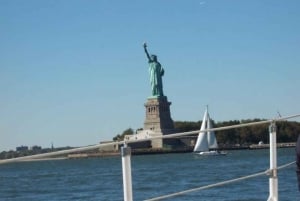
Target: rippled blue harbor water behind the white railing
{"points": [[153, 175]]}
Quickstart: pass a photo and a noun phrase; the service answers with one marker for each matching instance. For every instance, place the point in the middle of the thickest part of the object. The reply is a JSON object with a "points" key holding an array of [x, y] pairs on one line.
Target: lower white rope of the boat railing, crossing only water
{"points": [[266, 172]]}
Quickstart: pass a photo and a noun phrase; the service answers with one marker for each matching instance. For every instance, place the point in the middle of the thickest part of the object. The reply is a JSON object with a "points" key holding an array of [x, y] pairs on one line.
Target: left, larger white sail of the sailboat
{"points": [[202, 143]]}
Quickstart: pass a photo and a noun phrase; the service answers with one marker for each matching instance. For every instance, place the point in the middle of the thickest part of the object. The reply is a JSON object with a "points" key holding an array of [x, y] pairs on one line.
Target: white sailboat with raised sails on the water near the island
{"points": [[207, 142]]}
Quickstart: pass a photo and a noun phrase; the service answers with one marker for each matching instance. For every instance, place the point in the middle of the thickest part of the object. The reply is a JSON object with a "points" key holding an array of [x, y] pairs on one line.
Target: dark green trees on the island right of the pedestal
{"points": [[287, 131]]}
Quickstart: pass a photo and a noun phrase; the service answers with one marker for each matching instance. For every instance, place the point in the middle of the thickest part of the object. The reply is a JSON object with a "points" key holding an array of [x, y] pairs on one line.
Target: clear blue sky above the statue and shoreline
{"points": [[73, 72]]}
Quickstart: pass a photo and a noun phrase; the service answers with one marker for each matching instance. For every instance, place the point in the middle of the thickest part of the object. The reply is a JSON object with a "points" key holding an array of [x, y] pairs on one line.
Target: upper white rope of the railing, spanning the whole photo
{"points": [[91, 147]]}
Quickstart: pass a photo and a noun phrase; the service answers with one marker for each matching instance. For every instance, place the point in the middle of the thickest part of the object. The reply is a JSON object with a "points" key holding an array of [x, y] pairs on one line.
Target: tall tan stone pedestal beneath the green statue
{"points": [[158, 117]]}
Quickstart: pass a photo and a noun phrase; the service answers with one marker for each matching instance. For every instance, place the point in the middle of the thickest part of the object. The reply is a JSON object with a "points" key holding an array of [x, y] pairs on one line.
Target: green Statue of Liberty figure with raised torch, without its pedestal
{"points": [[156, 72]]}
